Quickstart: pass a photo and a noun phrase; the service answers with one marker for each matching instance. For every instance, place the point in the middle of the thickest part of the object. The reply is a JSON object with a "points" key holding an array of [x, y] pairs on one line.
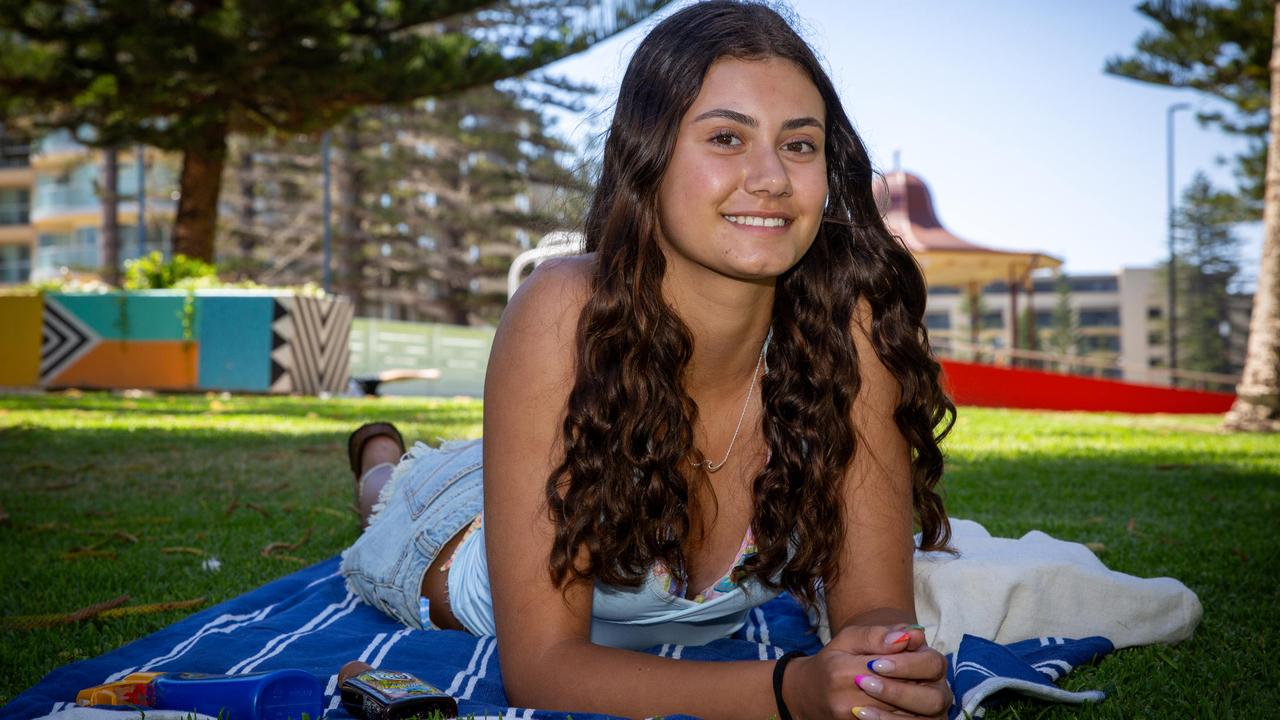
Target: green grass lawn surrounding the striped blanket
{"points": [[106, 496]]}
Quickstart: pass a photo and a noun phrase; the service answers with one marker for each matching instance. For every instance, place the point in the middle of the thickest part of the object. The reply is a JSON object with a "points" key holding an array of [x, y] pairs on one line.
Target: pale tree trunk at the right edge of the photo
{"points": [[1258, 403]]}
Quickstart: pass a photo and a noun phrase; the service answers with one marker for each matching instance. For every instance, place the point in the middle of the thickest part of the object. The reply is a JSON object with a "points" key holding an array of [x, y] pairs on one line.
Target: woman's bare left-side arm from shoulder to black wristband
{"points": [[543, 637]]}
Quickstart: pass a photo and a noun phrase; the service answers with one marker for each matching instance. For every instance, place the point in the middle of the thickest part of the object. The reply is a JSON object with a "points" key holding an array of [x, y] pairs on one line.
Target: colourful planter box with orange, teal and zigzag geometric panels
{"points": [[173, 340]]}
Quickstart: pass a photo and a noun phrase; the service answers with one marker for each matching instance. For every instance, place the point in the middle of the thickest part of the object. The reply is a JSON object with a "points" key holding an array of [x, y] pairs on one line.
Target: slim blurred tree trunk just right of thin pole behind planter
{"points": [[351, 189]]}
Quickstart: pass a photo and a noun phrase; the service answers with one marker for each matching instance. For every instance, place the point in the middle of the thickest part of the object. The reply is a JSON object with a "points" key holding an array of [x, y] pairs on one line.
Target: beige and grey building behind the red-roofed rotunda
{"points": [[1121, 321]]}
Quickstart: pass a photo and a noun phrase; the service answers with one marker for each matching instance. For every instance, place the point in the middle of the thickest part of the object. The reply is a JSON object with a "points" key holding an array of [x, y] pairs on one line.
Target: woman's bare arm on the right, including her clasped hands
{"points": [[874, 593]]}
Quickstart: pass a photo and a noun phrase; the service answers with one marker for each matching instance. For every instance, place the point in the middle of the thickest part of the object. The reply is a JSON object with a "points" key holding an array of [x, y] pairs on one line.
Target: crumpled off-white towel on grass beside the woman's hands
{"points": [[1014, 590]]}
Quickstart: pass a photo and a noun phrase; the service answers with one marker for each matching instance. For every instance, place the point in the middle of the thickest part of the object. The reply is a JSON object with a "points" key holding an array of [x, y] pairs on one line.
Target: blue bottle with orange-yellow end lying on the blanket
{"points": [[278, 695]]}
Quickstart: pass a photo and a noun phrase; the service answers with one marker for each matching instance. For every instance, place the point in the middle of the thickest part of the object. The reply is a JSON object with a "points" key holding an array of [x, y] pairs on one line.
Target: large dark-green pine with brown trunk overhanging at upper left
{"points": [[186, 76]]}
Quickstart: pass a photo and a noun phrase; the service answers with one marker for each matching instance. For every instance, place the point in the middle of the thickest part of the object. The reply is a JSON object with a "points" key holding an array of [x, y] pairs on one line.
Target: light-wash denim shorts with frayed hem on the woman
{"points": [[433, 495]]}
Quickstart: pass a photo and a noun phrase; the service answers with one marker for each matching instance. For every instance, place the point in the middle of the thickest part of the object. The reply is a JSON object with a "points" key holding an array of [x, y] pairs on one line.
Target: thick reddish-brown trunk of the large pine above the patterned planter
{"points": [[200, 186]]}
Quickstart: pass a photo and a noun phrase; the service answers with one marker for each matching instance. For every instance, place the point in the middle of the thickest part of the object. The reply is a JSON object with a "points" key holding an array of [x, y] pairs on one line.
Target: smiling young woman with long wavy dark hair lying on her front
{"points": [[730, 395]]}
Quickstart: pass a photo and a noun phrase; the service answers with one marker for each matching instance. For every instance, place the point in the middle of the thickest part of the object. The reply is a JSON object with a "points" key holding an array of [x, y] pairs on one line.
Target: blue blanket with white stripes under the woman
{"points": [[309, 621]]}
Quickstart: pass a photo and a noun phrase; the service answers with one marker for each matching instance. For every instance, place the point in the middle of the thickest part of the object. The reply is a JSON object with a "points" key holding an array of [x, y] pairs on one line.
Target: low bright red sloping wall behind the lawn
{"points": [[1012, 388]]}
